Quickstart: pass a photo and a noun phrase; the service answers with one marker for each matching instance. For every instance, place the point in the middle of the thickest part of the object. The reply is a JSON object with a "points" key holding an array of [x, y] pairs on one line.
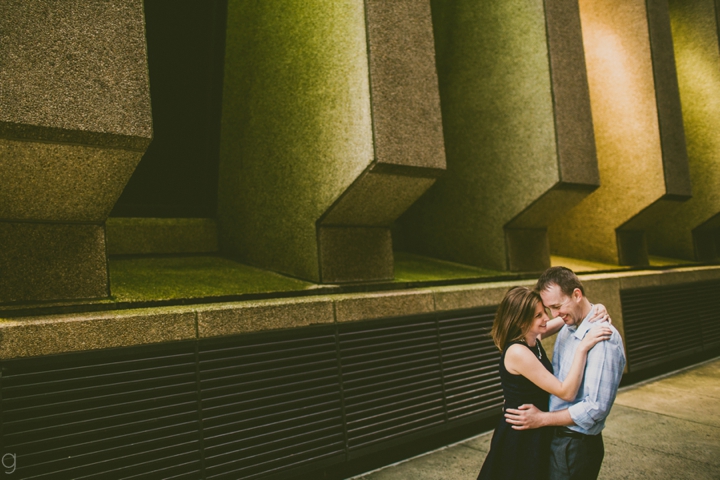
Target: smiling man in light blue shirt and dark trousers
{"points": [[577, 448]]}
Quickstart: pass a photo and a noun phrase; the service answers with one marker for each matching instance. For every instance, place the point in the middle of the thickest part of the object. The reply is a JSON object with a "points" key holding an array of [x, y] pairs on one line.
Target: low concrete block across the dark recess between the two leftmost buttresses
{"points": [[160, 235]]}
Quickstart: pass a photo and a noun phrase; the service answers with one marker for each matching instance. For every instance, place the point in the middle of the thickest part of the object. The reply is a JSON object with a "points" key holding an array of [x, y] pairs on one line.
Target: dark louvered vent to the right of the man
{"points": [[668, 322]]}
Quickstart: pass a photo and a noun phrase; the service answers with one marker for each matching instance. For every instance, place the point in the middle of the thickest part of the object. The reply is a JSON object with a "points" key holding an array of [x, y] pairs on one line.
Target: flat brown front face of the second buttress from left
{"points": [[405, 101]]}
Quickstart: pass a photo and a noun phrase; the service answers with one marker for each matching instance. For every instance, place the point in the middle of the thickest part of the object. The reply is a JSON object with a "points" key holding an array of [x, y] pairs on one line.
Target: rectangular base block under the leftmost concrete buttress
{"points": [[40, 262]]}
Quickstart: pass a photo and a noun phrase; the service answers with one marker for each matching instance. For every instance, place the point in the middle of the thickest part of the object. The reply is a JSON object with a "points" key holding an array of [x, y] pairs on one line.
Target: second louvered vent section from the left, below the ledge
{"points": [[270, 404]]}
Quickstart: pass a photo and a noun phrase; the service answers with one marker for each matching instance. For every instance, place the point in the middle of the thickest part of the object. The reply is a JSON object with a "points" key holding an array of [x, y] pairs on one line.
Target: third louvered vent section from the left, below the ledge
{"points": [[391, 379]]}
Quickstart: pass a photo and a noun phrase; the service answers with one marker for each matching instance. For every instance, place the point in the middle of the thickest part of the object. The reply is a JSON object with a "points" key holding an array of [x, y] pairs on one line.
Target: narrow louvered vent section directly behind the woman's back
{"points": [[470, 359]]}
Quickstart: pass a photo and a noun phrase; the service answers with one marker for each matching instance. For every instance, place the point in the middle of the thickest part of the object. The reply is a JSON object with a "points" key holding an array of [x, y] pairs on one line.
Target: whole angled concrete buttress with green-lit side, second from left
{"points": [[330, 129]]}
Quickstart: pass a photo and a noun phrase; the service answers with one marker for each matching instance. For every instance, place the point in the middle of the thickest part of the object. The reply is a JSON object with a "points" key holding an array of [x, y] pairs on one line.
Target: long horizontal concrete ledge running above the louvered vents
{"points": [[54, 334]]}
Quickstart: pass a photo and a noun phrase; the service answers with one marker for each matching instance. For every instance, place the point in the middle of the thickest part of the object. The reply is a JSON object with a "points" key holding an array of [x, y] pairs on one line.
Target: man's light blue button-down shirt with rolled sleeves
{"points": [[603, 370]]}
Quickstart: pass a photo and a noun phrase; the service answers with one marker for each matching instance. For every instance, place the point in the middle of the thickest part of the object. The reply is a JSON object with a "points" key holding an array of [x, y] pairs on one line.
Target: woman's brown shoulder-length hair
{"points": [[514, 316]]}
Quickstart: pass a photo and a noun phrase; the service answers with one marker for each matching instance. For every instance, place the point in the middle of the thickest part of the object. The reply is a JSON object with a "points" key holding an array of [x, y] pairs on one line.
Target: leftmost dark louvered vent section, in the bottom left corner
{"points": [[126, 413]]}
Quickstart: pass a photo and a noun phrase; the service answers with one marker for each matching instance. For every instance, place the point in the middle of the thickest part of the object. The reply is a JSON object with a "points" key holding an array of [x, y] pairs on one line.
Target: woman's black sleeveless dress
{"points": [[519, 454]]}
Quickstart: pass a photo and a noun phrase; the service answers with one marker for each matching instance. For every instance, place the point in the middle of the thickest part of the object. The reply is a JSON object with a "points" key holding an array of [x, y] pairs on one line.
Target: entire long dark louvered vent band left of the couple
{"points": [[260, 406]]}
